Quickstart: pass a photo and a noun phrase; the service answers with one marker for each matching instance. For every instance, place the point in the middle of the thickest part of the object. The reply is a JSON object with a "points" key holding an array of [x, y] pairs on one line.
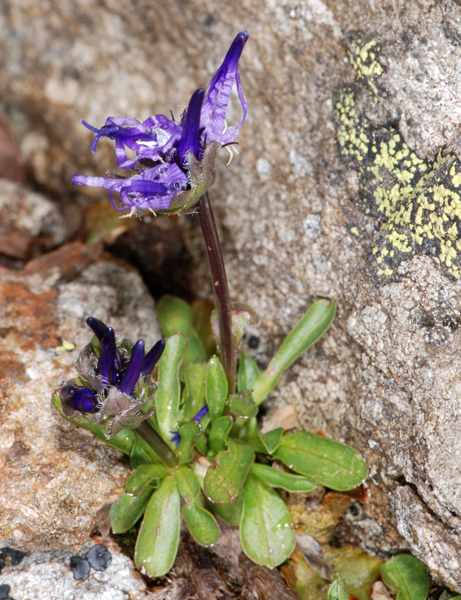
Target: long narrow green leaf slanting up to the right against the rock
{"points": [[307, 331]]}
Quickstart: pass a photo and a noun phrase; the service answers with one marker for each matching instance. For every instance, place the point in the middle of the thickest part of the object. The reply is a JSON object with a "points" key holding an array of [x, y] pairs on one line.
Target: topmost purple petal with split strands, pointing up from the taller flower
{"points": [[219, 91]]}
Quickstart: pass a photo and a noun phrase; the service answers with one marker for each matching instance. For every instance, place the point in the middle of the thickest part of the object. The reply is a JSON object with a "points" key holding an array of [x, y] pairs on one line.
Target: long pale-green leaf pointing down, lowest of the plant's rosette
{"points": [[158, 537]]}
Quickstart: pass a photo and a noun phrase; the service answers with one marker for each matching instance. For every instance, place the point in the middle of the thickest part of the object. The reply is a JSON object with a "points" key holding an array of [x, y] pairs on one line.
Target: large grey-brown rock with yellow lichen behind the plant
{"points": [[340, 193]]}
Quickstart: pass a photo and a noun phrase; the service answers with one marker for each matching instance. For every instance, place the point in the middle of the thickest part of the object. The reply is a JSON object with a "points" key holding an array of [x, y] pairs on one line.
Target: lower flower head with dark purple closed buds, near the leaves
{"points": [[115, 383]]}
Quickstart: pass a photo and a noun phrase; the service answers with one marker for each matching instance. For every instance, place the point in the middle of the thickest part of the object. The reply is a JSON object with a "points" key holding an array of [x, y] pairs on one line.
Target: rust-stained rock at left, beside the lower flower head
{"points": [[55, 479]]}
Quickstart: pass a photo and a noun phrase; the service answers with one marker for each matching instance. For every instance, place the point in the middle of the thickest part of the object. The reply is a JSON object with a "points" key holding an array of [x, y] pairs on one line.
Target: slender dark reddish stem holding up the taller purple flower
{"points": [[220, 287]]}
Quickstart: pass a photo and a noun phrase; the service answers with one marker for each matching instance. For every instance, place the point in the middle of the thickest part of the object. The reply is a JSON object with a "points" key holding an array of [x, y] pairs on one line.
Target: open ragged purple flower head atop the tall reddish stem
{"points": [[180, 155]]}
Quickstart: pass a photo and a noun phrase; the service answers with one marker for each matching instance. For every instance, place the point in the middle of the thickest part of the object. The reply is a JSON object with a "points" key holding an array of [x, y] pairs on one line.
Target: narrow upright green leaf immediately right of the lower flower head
{"points": [[168, 392]]}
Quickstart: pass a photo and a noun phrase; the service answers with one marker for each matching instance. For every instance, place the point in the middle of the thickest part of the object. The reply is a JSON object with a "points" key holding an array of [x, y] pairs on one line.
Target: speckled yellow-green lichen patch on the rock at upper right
{"points": [[417, 203]]}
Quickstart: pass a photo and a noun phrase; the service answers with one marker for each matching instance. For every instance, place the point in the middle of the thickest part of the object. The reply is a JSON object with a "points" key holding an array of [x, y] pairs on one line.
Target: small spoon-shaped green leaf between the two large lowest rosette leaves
{"points": [[200, 522]]}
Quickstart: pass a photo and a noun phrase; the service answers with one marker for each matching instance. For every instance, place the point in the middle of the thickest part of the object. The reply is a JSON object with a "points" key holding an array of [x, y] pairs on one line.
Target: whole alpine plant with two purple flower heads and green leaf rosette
{"points": [[185, 412]]}
